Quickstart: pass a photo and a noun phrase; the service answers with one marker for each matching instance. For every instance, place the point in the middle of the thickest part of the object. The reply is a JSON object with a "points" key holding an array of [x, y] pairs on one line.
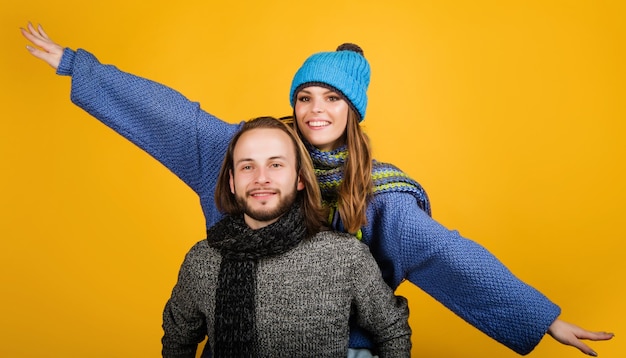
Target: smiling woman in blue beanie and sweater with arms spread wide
{"points": [[405, 241]]}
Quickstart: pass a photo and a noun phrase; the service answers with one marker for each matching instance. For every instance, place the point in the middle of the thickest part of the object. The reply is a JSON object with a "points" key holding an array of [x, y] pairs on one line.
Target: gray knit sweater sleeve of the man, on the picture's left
{"points": [[184, 325]]}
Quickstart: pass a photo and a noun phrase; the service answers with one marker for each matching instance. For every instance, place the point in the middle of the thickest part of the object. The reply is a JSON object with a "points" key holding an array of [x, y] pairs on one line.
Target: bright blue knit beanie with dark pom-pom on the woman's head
{"points": [[345, 71]]}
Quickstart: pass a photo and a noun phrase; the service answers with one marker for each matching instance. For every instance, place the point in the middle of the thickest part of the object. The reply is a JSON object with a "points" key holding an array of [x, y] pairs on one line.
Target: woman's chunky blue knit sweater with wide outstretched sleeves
{"points": [[404, 240]]}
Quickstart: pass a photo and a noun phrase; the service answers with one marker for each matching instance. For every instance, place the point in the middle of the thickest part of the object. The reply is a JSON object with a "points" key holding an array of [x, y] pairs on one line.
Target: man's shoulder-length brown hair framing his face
{"points": [[315, 215]]}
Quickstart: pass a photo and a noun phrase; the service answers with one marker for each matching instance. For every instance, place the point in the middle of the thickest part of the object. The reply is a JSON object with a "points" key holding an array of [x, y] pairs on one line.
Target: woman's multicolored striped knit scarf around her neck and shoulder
{"points": [[386, 177]]}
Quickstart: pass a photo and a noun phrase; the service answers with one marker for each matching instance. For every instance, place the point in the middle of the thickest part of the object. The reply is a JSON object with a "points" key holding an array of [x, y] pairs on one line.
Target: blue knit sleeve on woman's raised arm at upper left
{"points": [[174, 130]]}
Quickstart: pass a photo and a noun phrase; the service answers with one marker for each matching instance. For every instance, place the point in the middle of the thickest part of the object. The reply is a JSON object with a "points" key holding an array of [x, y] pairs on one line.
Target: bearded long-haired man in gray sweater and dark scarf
{"points": [[270, 280]]}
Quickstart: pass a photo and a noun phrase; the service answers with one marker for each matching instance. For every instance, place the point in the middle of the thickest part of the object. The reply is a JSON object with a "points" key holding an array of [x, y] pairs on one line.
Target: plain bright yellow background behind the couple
{"points": [[510, 113]]}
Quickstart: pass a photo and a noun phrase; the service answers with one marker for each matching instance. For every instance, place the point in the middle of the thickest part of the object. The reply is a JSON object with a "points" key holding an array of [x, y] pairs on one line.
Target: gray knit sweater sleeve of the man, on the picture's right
{"points": [[384, 315]]}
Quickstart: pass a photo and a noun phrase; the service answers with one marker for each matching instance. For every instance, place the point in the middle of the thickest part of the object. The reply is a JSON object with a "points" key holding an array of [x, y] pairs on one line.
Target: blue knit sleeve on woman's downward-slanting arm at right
{"points": [[459, 273]]}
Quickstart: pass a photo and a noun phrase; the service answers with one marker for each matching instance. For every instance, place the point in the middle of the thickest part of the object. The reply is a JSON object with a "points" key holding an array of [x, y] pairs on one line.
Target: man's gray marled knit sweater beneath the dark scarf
{"points": [[304, 300]]}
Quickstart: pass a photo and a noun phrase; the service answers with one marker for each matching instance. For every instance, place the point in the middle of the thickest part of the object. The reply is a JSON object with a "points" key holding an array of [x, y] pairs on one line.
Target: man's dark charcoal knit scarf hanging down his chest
{"points": [[235, 299]]}
